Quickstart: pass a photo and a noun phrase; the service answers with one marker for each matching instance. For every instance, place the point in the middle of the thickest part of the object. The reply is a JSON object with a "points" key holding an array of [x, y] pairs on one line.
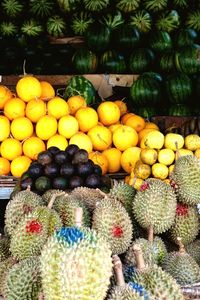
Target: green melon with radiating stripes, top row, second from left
{"points": [[42, 8]]}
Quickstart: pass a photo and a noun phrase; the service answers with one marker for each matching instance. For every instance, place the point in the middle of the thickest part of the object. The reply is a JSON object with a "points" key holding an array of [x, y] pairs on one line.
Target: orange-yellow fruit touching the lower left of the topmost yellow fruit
{"points": [[14, 108]]}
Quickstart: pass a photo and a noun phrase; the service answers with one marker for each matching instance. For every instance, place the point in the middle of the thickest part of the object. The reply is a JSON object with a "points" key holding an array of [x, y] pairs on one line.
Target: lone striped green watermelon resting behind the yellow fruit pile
{"points": [[79, 85]]}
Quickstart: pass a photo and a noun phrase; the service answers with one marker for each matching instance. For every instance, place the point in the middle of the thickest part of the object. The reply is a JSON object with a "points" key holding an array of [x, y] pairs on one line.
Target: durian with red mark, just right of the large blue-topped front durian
{"points": [[111, 219]]}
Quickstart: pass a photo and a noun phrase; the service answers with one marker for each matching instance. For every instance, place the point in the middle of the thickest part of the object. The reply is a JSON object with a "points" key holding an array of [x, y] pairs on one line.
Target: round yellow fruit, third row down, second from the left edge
{"points": [[21, 128]]}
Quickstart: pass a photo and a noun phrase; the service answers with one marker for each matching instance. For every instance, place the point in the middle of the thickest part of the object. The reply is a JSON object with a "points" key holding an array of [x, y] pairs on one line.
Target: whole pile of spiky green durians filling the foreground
{"points": [[89, 244]]}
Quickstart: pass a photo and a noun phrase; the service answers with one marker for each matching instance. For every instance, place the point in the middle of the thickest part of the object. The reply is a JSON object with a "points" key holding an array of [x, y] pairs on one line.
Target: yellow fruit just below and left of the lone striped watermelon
{"points": [[57, 107]]}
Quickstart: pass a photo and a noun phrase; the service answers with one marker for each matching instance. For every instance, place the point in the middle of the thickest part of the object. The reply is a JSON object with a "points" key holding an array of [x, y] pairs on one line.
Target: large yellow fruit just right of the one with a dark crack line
{"points": [[125, 137]]}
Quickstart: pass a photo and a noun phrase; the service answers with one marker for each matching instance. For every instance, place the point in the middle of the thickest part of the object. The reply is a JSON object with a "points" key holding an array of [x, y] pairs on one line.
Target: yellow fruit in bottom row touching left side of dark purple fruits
{"points": [[19, 165]]}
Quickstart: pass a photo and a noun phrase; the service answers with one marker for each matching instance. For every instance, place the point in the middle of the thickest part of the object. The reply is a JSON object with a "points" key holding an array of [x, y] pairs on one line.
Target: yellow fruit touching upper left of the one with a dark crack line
{"points": [[87, 118]]}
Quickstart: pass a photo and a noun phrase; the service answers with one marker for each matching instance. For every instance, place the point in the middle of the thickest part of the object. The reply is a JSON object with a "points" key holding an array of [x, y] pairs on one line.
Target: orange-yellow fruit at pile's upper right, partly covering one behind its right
{"points": [[108, 112]]}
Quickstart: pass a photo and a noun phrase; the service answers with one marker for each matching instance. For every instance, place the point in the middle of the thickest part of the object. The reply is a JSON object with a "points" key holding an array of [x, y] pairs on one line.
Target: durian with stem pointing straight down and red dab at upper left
{"points": [[155, 205]]}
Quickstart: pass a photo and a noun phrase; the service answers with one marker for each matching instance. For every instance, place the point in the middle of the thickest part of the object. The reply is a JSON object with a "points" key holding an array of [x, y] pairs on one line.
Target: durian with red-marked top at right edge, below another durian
{"points": [[186, 225]]}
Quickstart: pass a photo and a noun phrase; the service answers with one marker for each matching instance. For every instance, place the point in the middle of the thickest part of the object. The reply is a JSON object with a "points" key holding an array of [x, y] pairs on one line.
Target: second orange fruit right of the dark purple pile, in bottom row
{"points": [[114, 159]]}
